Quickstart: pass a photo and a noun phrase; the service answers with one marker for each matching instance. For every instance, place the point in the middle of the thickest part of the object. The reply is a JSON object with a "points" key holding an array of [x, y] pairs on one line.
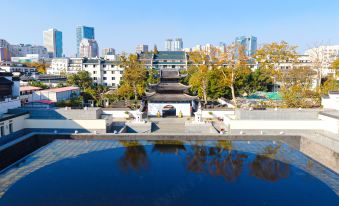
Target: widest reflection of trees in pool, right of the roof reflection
{"points": [[216, 161]]}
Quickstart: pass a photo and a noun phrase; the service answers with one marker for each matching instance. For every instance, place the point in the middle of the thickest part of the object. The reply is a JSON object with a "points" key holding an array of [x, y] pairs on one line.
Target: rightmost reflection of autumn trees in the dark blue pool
{"points": [[265, 167]]}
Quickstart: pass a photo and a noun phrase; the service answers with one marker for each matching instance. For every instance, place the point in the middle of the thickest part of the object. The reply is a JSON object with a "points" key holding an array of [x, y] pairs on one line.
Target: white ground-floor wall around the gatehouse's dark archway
{"points": [[154, 108]]}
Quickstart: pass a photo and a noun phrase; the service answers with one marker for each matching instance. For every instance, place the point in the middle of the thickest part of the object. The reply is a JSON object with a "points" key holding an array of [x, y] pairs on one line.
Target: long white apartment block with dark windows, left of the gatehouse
{"points": [[103, 72]]}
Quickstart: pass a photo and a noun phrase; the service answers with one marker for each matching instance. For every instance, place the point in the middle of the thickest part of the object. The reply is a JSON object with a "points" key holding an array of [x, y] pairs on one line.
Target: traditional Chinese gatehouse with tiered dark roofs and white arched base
{"points": [[169, 97]]}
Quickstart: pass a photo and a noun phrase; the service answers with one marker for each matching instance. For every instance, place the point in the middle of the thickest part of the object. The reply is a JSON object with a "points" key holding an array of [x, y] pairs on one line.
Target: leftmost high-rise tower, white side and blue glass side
{"points": [[53, 42]]}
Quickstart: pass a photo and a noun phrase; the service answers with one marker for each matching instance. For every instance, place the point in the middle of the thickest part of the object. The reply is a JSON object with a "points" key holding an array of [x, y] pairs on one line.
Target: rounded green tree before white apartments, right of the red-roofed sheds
{"points": [[82, 79]]}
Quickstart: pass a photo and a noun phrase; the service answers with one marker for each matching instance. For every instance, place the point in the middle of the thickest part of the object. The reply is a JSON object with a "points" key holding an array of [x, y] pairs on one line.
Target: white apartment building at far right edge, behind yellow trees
{"points": [[324, 55]]}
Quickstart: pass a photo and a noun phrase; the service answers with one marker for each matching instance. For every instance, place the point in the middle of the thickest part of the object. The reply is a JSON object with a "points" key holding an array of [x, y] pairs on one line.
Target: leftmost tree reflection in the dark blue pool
{"points": [[135, 156]]}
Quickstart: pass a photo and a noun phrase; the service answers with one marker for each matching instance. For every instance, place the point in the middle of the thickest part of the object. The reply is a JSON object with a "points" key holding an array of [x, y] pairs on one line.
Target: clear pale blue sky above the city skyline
{"points": [[122, 24]]}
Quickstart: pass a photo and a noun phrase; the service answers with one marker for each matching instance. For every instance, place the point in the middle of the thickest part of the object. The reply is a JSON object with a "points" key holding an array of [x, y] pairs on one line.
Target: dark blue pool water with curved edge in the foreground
{"points": [[170, 174]]}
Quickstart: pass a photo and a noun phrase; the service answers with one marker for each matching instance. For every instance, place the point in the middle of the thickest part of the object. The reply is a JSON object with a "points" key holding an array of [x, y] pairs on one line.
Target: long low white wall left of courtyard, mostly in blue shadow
{"points": [[99, 124]]}
